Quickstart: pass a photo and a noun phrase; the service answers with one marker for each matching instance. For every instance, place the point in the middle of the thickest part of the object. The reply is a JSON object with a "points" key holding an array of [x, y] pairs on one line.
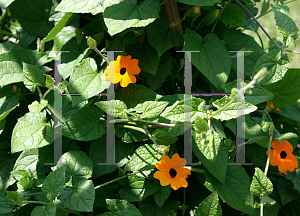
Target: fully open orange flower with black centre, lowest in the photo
{"points": [[172, 171]]}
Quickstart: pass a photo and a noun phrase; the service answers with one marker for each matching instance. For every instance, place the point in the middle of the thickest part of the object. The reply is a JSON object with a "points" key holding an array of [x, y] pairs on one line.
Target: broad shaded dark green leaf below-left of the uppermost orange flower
{"points": [[83, 124]]}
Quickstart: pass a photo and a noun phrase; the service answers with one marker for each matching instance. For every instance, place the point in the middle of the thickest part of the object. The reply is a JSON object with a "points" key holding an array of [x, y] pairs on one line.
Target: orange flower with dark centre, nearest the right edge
{"points": [[281, 156]]}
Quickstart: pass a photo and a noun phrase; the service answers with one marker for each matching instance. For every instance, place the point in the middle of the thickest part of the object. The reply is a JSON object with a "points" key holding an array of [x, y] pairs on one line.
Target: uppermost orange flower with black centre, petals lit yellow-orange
{"points": [[122, 70]]}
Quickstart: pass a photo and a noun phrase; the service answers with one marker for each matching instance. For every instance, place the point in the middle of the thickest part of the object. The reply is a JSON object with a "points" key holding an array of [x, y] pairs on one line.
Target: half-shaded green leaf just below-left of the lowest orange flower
{"points": [[136, 189]]}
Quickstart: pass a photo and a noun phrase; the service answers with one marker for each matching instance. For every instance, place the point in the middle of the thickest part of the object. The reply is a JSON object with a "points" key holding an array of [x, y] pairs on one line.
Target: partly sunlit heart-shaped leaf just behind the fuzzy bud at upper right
{"points": [[277, 68]]}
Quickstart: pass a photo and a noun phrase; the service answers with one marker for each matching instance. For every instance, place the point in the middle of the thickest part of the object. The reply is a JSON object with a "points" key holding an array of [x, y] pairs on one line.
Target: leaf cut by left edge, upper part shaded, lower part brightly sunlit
{"points": [[11, 68]]}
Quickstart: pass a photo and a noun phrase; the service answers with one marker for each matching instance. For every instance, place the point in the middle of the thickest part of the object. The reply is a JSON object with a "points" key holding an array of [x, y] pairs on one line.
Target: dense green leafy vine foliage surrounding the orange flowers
{"points": [[150, 118]]}
